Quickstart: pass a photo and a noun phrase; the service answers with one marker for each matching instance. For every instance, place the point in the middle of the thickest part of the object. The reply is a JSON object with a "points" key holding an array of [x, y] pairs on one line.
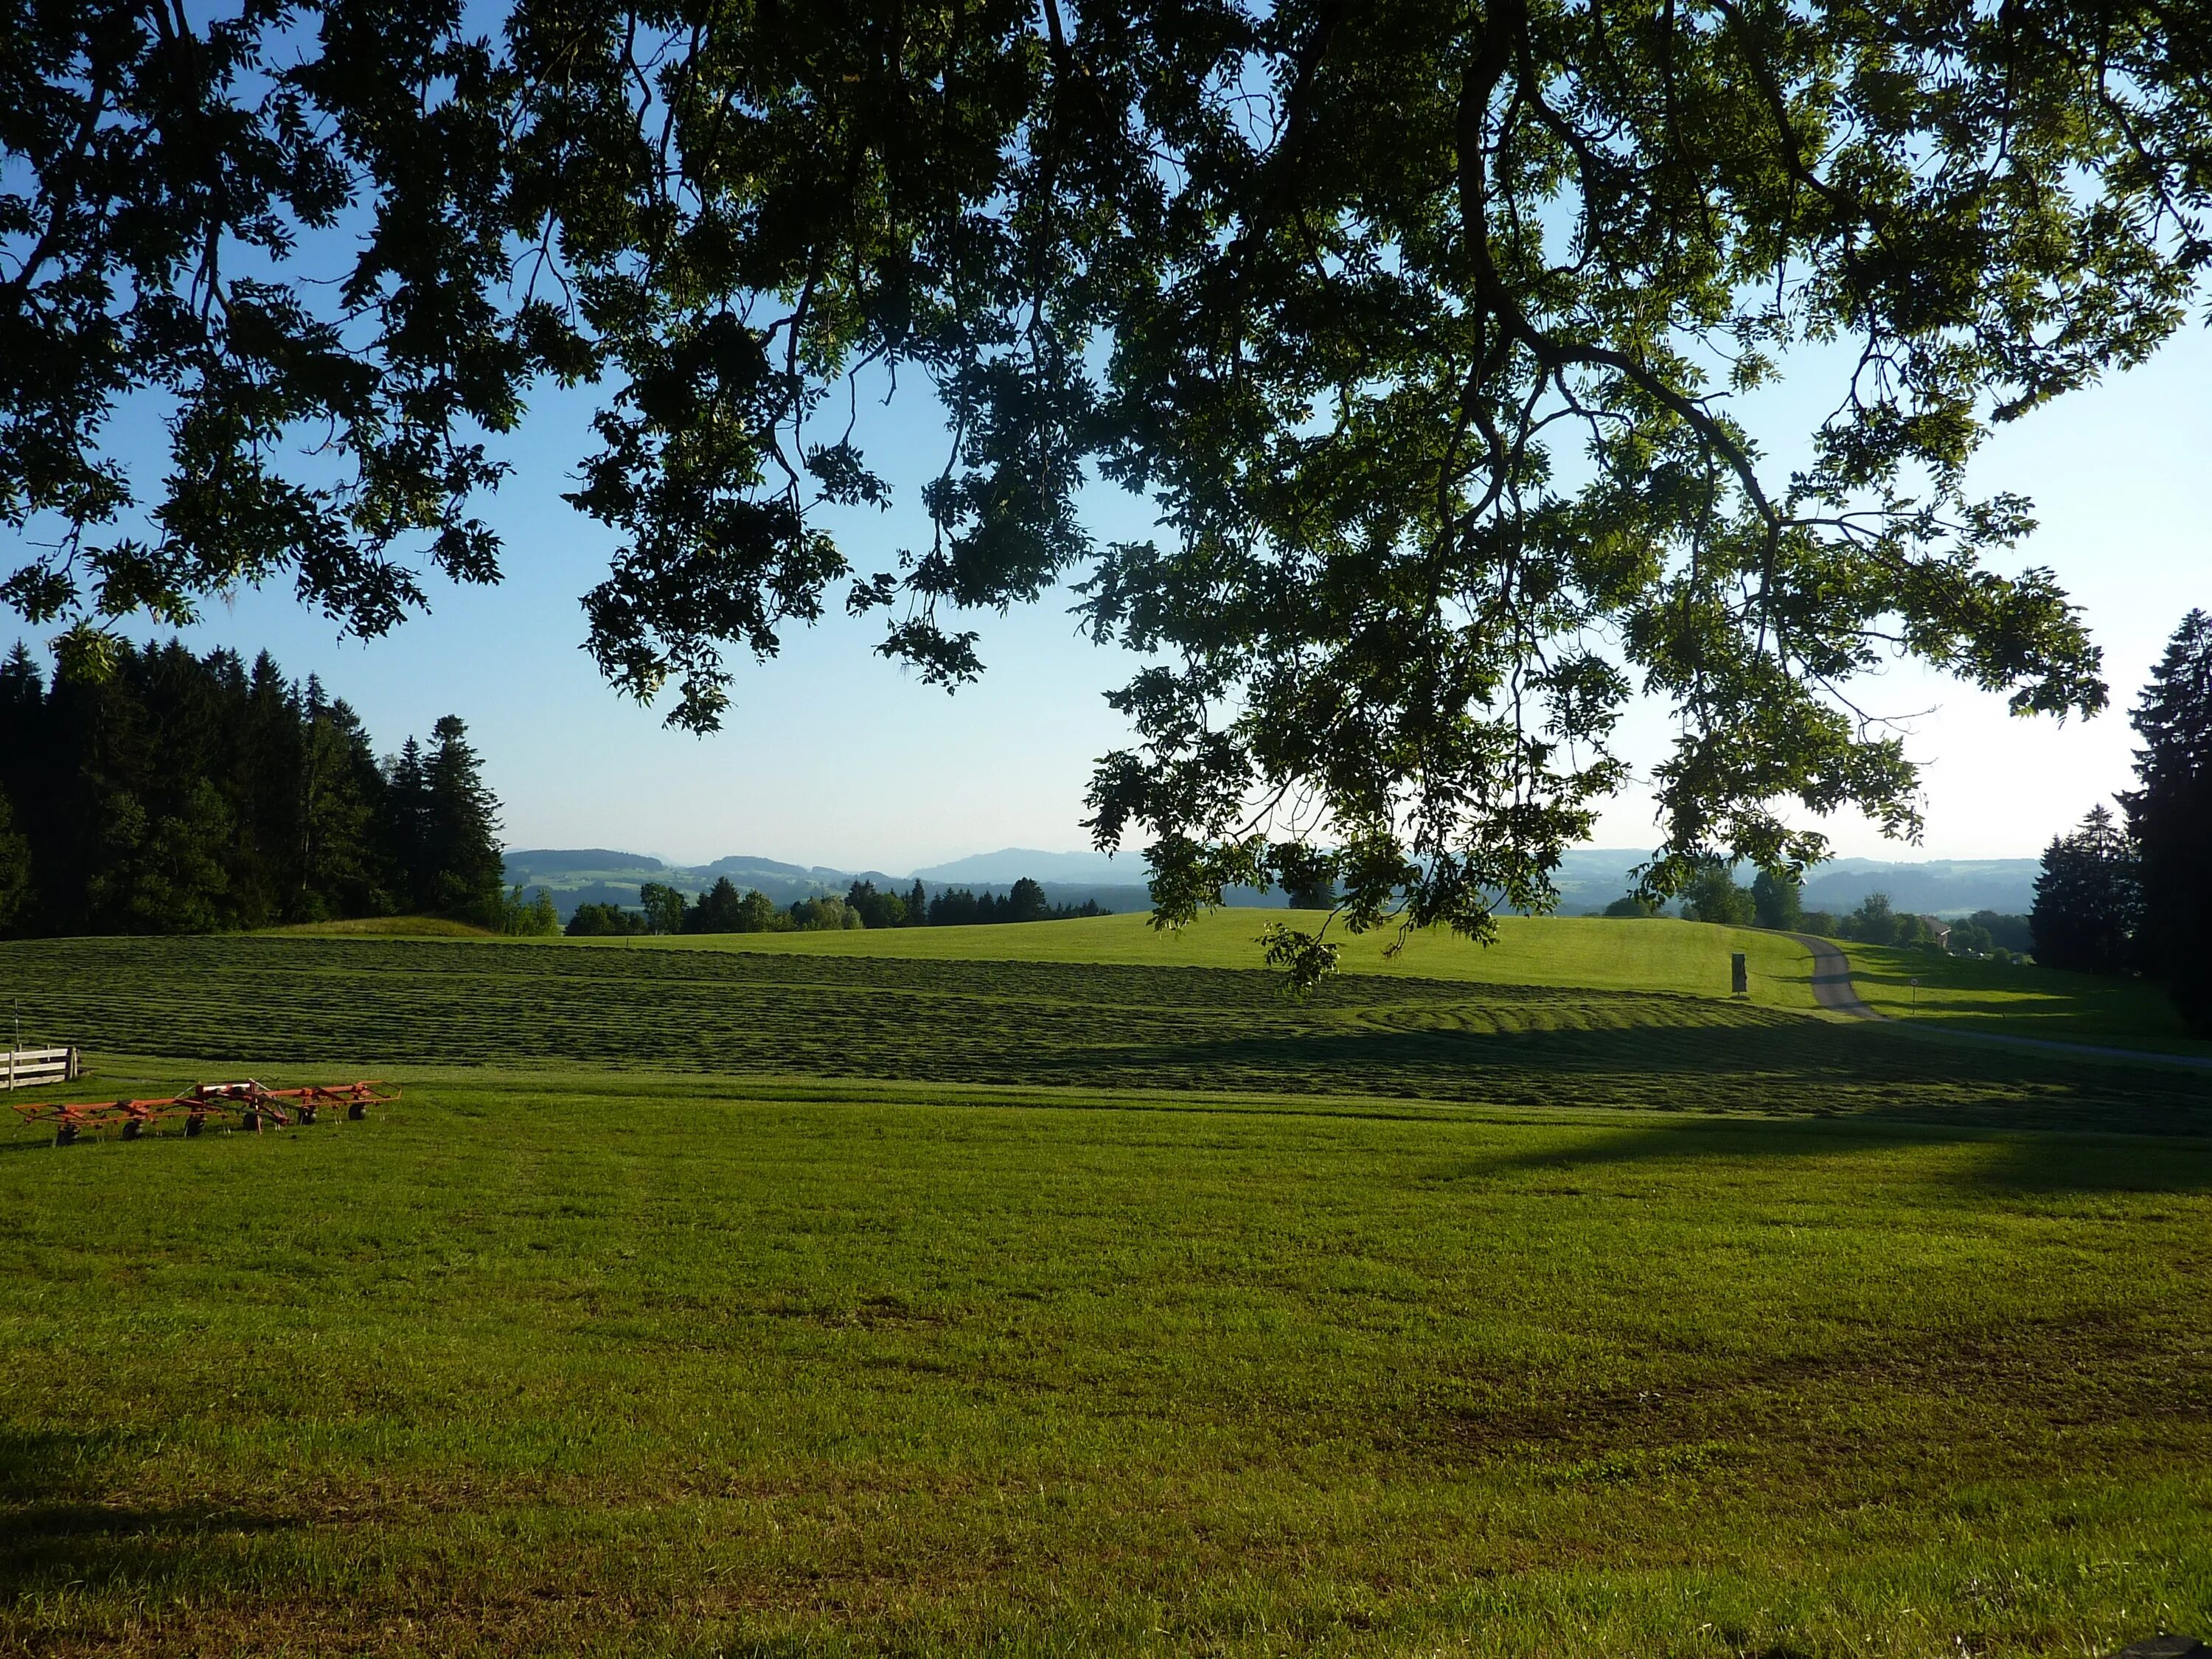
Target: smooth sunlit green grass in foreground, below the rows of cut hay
{"points": [[632, 1366]]}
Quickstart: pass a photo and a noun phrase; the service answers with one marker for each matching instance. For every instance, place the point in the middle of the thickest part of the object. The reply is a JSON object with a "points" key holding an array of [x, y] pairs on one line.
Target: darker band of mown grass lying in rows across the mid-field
{"points": [[286, 1001]]}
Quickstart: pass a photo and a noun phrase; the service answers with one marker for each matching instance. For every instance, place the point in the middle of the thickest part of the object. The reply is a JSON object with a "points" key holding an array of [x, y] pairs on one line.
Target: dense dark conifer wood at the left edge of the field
{"points": [[182, 795]]}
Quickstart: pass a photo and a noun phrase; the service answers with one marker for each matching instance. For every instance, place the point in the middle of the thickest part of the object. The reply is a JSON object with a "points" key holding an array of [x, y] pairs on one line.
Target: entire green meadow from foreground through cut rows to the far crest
{"points": [[800, 1297]]}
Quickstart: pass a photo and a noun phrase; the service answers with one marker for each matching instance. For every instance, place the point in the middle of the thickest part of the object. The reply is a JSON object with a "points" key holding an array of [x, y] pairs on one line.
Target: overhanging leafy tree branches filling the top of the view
{"points": [[1423, 328]]}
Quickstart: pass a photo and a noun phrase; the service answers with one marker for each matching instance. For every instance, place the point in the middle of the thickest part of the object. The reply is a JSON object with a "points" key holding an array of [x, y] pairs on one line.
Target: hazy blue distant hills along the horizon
{"points": [[1589, 879]]}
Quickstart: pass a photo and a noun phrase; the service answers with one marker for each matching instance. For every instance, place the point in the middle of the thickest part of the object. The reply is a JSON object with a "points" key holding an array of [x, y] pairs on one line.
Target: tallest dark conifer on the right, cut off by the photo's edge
{"points": [[2171, 820]]}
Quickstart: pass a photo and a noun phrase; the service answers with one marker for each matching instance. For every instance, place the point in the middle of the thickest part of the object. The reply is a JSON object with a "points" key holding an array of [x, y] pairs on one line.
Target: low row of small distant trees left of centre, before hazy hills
{"points": [[724, 910]]}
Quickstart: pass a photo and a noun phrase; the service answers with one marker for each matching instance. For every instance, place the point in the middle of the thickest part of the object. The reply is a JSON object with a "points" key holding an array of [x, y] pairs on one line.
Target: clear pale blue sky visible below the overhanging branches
{"points": [[839, 758]]}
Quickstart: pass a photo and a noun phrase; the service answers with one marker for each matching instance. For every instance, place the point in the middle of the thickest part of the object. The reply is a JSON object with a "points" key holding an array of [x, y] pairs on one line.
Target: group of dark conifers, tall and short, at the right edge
{"points": [[2133, 893]]}
